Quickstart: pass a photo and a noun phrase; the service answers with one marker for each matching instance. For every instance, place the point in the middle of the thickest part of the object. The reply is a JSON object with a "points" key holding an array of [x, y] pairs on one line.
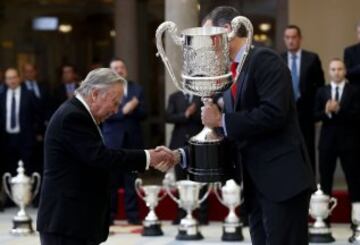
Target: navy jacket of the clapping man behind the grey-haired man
{"points": [[124, 131]]}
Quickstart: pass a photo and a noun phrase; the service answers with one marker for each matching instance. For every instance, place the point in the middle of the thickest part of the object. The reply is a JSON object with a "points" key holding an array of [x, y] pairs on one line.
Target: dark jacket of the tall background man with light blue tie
{"points": [[311, 78]]}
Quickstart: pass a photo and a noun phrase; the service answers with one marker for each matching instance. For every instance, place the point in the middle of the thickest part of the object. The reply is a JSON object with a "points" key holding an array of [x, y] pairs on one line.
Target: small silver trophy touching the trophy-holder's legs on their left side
{"points": [[231, 198]]}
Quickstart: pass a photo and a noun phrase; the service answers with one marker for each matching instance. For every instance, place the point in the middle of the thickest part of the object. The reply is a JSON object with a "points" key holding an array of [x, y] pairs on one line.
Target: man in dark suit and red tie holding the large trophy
{"points": [[260, 118]]}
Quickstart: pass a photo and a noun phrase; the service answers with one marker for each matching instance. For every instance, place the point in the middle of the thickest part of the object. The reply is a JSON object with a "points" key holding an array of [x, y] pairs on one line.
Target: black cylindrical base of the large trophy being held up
{"points": [[208, 161]]}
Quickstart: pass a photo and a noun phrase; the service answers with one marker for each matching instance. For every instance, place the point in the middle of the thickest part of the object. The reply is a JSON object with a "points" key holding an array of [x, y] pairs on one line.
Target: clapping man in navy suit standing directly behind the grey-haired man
{"points": [[123, 131]]}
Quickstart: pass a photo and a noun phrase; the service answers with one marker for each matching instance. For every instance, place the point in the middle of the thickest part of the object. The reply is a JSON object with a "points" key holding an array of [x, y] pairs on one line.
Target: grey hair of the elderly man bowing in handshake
{"points": [[100, 78]]}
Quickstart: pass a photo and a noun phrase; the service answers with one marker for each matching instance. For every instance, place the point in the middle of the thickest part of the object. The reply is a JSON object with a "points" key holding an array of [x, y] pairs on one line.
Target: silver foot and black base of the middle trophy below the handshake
{"points": [[189, 230]]}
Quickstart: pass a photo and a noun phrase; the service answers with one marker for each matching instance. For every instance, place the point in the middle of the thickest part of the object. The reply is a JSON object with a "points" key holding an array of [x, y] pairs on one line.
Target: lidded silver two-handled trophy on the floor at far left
{"points": [[20, 194]]}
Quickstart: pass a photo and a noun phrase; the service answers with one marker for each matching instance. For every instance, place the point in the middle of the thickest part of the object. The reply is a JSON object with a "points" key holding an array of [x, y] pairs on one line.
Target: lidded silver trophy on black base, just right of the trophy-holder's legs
{"points": [[319, 232]]}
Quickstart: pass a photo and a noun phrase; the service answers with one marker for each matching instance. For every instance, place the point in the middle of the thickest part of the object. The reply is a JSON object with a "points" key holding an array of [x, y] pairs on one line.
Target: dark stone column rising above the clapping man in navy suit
{"points": [[126, 39]]}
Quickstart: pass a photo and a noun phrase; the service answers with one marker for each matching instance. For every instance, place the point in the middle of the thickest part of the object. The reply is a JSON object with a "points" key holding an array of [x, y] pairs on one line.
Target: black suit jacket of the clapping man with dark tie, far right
{"points": [[340, 132]]}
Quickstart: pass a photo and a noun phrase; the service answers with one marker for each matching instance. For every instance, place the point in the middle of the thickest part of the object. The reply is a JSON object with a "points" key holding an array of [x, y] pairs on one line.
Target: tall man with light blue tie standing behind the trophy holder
{"points": [[307, 76]]}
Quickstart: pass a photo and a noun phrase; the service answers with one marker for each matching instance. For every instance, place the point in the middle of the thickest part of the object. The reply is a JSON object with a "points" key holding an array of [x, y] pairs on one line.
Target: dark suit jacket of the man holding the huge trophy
{"points": [[264, 123]]}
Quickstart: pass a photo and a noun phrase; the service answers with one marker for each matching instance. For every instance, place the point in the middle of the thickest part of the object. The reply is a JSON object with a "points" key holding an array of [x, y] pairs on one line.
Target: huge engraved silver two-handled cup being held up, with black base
{"points": [[205, 73]]}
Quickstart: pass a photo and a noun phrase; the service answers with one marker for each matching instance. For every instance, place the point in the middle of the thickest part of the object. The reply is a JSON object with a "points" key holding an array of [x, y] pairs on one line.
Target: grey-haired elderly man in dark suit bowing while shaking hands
{"points": [[74, 204]]}
